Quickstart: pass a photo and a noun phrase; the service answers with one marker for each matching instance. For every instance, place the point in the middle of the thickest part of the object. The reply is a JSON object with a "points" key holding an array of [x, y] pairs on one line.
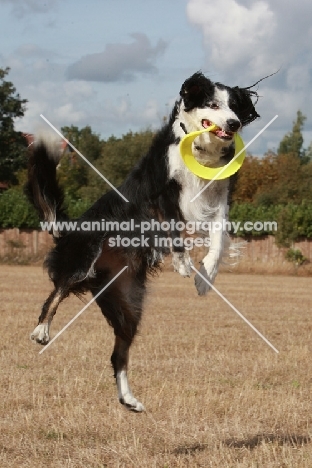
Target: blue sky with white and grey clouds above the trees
{"points": [[118, 65]]}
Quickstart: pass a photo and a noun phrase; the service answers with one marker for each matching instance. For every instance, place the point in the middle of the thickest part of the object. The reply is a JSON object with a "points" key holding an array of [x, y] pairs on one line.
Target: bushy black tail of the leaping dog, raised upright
{"points": [[42, 188]]}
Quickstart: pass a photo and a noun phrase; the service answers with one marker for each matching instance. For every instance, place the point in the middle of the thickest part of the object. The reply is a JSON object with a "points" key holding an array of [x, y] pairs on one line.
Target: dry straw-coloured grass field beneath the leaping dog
{"points": [[216, 395]]}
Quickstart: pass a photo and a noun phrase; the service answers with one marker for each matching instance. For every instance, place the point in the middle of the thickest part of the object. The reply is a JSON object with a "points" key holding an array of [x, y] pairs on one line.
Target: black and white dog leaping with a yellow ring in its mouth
{"points": [[159, 187]]}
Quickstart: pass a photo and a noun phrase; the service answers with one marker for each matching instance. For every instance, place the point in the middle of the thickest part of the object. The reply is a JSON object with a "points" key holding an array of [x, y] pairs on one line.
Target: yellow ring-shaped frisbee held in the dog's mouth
{"points": [[216, 173]]}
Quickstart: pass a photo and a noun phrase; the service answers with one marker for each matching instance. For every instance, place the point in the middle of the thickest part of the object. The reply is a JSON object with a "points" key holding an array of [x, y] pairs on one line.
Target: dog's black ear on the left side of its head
{"points": [[195, 91]]}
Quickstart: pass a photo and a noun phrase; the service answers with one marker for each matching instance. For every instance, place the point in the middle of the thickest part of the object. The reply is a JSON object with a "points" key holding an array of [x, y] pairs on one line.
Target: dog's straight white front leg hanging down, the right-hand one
{"points": [[210, 263]]}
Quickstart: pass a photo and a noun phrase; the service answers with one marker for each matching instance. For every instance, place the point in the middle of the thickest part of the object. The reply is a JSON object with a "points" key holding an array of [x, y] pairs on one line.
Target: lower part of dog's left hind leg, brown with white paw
{"points": [[41, 332]]}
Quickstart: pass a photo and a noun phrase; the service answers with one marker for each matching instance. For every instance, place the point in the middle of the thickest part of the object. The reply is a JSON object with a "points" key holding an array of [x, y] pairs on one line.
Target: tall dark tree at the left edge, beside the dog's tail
{"points": [[12, 143]]}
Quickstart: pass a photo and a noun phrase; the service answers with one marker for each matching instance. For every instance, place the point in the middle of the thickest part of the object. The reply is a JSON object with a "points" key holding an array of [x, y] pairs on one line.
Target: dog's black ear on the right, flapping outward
{"points": [[242, 105]]}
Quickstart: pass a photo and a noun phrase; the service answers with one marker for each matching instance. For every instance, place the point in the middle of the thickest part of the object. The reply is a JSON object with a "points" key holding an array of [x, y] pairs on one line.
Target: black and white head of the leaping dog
{"points": [[204, 103]]}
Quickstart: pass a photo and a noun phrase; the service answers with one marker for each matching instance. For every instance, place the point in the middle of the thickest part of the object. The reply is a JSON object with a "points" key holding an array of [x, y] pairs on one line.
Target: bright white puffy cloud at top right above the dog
{"points": [[233, 33]]}
